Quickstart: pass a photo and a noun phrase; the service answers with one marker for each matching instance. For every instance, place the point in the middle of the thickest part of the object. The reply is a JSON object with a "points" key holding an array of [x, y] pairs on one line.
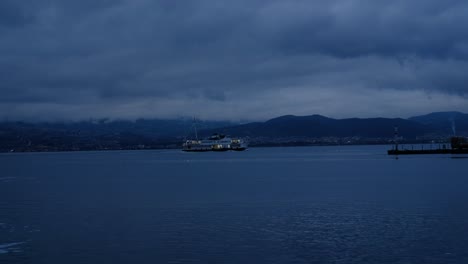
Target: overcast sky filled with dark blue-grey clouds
{"points": [[233, 60]]}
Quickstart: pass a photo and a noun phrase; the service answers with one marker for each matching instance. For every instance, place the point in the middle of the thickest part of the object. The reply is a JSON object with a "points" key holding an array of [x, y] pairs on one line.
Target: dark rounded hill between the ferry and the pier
{"points": [[320, 126]]}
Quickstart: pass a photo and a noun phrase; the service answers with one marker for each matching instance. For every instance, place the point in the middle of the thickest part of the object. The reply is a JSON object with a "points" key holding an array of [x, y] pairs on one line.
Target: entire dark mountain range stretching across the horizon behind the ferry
{"points": [[145, 133]]}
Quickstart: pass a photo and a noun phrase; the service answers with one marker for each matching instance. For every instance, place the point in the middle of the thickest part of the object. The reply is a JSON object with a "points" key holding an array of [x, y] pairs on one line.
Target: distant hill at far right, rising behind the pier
{"points": [[445, 122]]}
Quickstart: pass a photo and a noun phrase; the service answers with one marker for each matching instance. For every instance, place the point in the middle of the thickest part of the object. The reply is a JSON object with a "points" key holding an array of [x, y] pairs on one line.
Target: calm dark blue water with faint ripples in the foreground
{"points": [[264, 205]]}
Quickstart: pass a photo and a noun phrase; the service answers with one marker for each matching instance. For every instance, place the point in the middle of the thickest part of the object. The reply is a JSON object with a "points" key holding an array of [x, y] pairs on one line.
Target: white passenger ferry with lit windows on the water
{"points": [[217, 142]]}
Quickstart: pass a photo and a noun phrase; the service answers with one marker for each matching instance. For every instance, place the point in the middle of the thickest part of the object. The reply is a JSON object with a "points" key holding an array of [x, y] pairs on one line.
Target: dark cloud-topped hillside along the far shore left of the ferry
{"points": [[97, 134]]}
